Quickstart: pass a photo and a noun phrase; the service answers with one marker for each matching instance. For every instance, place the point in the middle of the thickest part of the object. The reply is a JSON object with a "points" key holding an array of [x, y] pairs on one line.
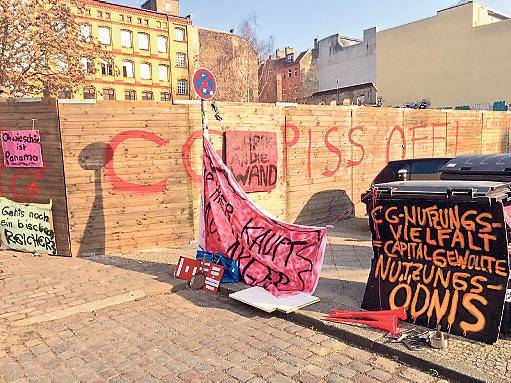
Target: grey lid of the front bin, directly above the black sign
{"points": [[466, 190]]}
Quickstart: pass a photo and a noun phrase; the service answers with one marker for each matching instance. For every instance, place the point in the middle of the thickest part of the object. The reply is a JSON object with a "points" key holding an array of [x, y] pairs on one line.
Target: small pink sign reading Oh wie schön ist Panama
{"points": [[22, 149]]}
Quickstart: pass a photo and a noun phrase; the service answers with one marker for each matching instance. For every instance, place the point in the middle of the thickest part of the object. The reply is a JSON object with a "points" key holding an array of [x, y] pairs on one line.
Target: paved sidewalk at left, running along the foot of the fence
{"points": [[36, 289]]}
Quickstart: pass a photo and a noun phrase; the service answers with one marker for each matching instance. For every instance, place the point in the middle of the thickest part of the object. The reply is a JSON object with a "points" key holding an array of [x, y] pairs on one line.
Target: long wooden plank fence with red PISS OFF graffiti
{"points": [[126, 175]]}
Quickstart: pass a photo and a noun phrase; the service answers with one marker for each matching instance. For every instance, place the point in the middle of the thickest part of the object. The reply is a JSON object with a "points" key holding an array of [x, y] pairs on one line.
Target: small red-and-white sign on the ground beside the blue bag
{"points": [[187, 268]]}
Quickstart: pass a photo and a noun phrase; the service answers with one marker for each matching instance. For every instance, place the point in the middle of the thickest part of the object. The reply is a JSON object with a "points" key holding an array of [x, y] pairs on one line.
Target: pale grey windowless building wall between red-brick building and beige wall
{"points": [[351, 61]]}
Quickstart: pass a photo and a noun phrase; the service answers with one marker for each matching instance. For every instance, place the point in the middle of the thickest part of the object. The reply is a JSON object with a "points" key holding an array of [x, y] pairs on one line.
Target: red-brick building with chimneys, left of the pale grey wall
{"points": [[288, 77]]}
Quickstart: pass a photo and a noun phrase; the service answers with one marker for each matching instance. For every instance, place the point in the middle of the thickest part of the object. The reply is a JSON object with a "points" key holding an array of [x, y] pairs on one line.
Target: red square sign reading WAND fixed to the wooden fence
{"points": [[252, 159]]}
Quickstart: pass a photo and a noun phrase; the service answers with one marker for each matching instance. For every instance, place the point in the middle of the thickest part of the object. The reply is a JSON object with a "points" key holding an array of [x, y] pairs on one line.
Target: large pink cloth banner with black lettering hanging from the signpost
{"points": [[283, 258]]}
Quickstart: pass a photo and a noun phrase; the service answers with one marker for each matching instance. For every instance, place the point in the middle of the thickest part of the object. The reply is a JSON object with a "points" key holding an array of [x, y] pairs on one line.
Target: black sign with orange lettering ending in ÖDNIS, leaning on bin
{"points": [[446, 262]]}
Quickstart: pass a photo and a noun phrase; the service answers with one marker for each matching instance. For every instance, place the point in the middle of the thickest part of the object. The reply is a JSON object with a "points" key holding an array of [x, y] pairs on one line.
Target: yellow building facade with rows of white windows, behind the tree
{"points": [[150, 51]]}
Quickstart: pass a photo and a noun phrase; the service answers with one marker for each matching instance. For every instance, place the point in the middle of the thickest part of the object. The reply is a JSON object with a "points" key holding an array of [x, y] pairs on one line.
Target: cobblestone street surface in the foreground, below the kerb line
{"points": [[187, 337]]}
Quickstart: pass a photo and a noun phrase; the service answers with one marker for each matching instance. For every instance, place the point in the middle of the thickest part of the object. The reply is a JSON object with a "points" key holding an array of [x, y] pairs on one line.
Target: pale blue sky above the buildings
{"points": [[296, 23]]}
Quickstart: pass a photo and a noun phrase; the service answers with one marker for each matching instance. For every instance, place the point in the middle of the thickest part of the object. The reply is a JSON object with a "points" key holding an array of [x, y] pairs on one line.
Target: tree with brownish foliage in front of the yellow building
{"points": [[43, 47]]}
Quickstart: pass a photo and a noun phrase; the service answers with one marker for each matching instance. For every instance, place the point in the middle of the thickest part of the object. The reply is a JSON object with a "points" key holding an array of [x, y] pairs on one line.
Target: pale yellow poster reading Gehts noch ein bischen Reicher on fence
{"points": [[27, 227]]}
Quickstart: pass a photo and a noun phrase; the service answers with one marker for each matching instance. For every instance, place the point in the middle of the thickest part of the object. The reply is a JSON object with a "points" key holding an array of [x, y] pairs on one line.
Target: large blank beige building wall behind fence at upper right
{"points": [[460, 56]]}
